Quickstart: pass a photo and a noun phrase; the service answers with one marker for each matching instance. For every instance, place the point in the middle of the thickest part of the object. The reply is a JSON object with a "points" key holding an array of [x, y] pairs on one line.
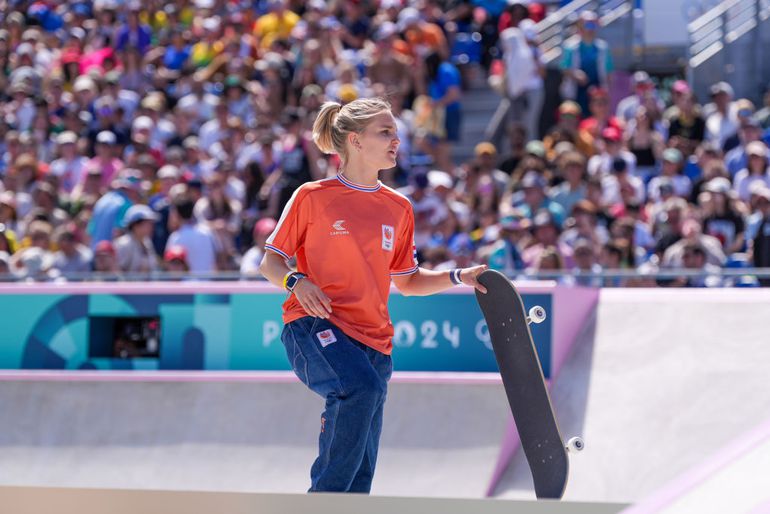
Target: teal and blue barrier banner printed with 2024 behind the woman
{"points": [[238, 331]]}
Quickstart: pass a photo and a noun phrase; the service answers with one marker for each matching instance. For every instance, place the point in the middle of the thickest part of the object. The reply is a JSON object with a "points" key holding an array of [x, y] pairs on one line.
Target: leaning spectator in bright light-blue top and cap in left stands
{"points": [[110, 210]]}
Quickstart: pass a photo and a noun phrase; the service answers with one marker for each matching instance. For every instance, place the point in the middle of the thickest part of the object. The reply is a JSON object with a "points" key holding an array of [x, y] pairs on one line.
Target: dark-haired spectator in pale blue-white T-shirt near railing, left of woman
{"points": [[201, 245]]}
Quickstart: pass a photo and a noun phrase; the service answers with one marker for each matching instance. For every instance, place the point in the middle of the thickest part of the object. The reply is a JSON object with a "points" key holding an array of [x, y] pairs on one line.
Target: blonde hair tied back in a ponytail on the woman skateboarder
{"points": [[335, 121]]}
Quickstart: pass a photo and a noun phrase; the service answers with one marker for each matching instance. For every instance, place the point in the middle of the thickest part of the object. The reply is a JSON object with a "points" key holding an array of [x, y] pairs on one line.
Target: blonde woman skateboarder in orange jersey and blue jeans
{"points": [[351, 235]]}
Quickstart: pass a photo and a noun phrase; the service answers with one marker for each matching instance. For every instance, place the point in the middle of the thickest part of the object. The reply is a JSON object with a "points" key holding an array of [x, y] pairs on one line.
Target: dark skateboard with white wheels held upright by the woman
{"points": [[524, 383]]}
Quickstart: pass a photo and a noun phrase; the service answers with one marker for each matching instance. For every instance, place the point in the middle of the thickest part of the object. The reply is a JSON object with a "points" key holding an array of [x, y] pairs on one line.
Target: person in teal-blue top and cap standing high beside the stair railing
{"points": [[585, 63]]}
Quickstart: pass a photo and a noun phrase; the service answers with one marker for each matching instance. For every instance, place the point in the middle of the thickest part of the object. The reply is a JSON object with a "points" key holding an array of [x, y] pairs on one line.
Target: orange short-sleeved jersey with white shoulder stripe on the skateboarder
{"points": [[349, 240]]}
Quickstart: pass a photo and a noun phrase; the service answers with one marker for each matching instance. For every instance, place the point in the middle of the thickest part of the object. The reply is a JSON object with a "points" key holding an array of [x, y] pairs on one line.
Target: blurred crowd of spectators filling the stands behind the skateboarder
{"points": [[139, 137]]}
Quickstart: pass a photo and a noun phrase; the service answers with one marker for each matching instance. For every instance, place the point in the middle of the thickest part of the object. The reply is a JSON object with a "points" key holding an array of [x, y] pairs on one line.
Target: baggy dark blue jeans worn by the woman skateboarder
{"points": [[353, 379]]}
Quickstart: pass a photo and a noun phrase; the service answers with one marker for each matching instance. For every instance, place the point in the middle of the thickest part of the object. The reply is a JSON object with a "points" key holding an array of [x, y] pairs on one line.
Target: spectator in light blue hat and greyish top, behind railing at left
{"points": [[134, 249]]}
